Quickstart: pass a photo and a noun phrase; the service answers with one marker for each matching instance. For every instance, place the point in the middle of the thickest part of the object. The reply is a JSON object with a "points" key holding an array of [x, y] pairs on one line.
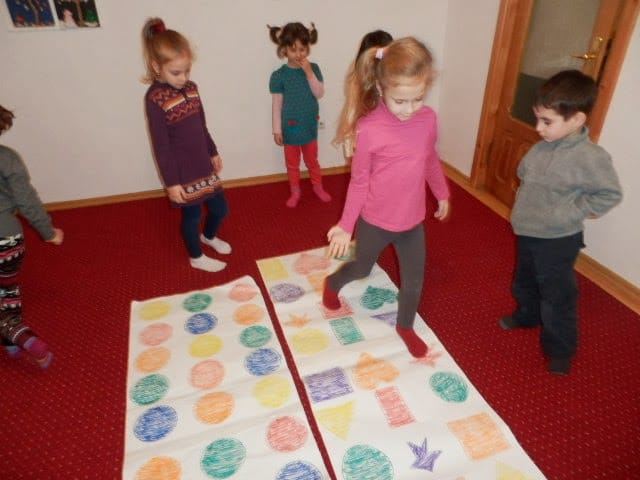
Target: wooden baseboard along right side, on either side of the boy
{"points": [[616, 286]]}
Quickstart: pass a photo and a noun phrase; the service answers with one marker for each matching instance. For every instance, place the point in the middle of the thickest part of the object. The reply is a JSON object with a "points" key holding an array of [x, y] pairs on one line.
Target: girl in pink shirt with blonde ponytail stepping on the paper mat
{"points": [[395, 136]]}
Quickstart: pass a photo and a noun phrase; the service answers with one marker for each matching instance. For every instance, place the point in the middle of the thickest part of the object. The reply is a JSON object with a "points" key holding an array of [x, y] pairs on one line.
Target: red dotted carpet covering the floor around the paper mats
{"points": [[67, 422]]}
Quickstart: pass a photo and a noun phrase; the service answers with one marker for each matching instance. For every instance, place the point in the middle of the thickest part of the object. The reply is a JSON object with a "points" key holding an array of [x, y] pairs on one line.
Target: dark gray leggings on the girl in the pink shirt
{"points": [[410, 248]]}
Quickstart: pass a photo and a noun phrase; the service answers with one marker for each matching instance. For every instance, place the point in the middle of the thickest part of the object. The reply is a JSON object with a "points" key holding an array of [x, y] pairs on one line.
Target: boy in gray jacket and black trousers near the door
{"points": [[564, 179]]}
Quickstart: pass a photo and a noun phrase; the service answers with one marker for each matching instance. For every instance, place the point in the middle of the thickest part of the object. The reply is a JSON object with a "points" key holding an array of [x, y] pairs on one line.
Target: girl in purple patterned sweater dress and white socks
{"points": [[186, 155]]}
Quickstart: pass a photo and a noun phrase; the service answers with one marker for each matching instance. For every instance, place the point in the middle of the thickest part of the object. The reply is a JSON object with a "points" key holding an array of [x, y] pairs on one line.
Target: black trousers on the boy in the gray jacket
{"points": [[546, 291]]}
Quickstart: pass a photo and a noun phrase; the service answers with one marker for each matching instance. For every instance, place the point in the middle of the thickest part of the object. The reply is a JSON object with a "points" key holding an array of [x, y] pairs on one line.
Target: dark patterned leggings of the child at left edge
{"points": [[11, 256]]}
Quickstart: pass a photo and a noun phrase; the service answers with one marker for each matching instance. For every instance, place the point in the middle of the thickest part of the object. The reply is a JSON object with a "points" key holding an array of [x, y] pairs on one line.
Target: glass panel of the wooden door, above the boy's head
{"points": [[557, 30]]}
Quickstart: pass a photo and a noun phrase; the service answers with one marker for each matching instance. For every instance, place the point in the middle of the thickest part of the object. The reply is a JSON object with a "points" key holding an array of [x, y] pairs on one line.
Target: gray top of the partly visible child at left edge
{"points": [[17, 194]]}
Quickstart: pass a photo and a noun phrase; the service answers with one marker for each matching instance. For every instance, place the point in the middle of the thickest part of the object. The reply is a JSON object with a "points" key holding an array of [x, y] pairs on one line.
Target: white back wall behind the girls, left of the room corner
{"points": [[79, 103]]}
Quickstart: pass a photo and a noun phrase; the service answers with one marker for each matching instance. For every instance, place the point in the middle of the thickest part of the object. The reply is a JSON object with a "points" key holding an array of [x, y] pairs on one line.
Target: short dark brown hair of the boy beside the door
{"points": [[568, 92]]}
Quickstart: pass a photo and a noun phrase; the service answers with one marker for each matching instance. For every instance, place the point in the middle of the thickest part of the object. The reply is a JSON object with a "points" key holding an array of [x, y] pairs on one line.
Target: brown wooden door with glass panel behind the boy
{"points": [[534, 40]]}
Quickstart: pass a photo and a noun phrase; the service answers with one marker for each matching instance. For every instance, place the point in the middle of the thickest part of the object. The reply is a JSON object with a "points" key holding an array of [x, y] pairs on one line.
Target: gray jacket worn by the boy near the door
{"points": [[562, 183]]}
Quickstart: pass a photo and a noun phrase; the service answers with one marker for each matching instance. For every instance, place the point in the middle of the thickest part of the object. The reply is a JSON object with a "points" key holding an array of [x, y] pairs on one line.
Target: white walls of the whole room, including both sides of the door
{"points": [[80, 122]]}
